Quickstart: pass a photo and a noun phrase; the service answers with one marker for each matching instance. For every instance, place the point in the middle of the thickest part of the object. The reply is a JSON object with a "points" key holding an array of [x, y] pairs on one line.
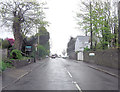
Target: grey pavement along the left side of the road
{"points": [[12, 75]]}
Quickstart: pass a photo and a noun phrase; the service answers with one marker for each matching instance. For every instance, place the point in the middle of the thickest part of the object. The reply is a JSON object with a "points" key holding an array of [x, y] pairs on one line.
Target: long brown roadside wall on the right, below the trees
{"points": [[108, 58]]}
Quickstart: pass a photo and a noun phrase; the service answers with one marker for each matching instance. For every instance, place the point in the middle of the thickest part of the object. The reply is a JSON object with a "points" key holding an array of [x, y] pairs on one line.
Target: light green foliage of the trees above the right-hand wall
{"points": [[104, 22]]}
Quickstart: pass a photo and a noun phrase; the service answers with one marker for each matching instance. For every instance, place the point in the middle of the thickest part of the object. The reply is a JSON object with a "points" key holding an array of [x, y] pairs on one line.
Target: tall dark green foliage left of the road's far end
{"points": [[44, 47]]}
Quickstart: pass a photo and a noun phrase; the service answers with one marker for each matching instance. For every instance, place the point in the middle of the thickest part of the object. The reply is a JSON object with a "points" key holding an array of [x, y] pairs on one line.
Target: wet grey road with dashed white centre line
{"points": [[65, 74]]}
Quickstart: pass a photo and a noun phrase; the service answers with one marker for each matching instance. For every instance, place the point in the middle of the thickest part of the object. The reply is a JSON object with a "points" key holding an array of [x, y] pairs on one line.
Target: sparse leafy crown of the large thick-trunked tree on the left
{"points": [[27, 13]]}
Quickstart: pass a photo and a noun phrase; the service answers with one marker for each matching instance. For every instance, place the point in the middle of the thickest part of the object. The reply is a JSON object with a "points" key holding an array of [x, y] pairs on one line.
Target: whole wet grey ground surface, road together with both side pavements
{"points": [[60, 74]]}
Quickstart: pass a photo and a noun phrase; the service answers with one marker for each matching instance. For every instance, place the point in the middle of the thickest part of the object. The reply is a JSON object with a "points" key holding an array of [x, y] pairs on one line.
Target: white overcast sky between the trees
{"points": [[61, 15]]}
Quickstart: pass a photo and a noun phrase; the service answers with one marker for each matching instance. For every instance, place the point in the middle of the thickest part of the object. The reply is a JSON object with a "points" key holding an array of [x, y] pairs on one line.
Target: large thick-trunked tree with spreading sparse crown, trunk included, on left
{"points": [[21, 16]]}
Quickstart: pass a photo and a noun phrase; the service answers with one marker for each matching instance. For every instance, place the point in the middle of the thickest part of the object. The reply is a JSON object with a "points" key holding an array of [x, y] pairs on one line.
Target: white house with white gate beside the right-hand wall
{"points": [[80, 44]]}
